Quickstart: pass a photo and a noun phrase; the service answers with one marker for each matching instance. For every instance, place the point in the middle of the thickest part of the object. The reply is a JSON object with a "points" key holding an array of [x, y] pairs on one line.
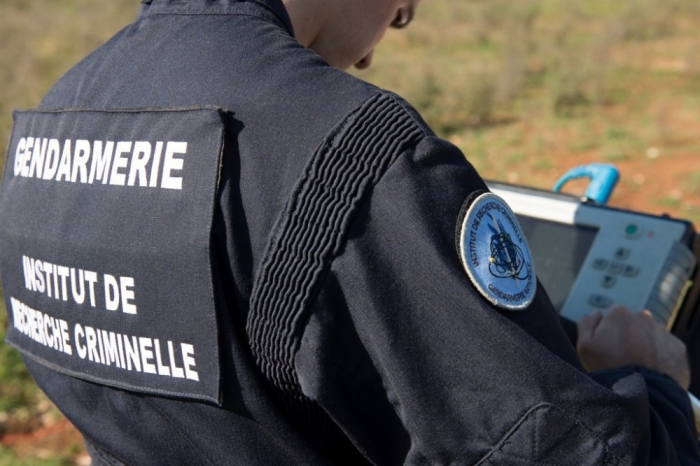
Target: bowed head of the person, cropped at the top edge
{"points": [[345, 32]]}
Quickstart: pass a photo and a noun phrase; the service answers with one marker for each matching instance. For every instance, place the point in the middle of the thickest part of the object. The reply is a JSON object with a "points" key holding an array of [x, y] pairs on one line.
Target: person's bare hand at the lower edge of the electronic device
{"points": [[624, 338]]}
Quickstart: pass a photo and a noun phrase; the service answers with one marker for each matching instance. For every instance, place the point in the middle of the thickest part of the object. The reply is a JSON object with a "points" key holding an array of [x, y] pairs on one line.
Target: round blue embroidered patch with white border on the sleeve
{"points": [[495, 254]]}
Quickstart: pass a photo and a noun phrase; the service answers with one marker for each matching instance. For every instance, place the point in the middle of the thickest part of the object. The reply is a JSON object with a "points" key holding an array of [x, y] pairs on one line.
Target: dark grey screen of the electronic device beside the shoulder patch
{"points": [[558, 251]]}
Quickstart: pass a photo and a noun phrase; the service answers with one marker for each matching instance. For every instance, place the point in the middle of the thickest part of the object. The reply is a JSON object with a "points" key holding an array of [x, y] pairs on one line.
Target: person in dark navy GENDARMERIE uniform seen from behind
{"points": [[358, 317]]}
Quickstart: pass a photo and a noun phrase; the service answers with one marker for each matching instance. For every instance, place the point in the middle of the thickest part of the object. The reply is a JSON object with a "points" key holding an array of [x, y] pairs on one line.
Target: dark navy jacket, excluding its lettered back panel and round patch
{"points": [[349, 332]]}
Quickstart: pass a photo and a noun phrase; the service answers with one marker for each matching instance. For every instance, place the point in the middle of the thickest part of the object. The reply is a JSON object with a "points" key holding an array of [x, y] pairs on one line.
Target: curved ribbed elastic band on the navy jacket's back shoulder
{"points": [[311, 232]]}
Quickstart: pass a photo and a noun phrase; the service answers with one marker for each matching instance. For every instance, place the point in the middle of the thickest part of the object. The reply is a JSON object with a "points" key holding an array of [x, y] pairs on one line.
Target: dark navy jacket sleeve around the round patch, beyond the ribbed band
{"points": [[416, 367]]}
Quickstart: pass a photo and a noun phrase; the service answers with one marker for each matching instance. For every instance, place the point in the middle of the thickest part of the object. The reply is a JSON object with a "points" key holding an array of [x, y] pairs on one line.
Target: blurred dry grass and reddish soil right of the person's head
{"points": [[528, 89]]}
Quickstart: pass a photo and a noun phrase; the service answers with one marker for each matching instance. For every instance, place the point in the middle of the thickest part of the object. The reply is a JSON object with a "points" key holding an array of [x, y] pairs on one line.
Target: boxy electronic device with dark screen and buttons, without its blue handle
{"points": [[589, 256]]}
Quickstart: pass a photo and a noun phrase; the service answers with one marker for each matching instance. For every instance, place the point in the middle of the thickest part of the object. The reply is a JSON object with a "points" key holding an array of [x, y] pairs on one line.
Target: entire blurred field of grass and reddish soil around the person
{"points": [[526, 88]]}
